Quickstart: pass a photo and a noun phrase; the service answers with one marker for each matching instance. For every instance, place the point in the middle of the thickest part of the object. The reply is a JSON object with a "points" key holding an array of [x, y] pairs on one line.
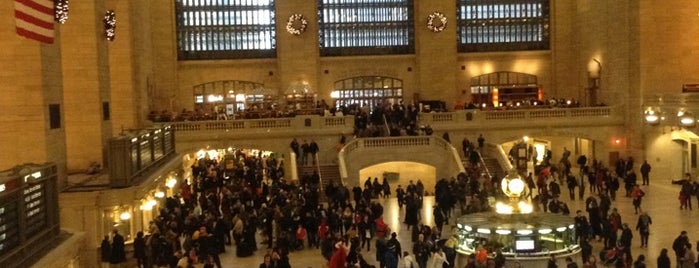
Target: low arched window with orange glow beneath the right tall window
{"points": [[504, 87]]}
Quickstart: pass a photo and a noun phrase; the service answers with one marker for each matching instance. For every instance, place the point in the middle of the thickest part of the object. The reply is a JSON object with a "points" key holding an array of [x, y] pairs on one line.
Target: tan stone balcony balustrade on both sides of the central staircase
{"points": [[466, 120]]}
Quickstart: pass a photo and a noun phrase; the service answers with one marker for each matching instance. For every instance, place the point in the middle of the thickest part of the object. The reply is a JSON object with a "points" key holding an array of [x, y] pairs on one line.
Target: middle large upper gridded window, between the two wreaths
{"points": [[365, 27]]}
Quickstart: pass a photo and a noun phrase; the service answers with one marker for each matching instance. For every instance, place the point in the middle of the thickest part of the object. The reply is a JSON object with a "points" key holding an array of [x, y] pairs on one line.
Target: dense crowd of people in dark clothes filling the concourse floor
{"points": [[230, 200]]}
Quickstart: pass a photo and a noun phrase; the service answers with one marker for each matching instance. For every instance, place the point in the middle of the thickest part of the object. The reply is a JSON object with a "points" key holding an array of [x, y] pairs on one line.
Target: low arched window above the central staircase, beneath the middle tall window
{"points": [[368, 90]]}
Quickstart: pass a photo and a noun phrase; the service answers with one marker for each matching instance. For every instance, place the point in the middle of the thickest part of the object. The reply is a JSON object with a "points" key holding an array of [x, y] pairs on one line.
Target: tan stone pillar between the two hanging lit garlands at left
{"points": [[85, 62]]}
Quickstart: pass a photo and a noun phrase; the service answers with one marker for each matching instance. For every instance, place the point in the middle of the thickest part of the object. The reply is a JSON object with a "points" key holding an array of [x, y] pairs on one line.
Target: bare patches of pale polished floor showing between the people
{"points": [[661, 203]]}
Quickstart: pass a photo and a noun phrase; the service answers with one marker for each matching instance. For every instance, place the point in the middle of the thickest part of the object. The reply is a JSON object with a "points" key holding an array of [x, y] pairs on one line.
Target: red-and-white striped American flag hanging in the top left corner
{"points": [[34, 19]]}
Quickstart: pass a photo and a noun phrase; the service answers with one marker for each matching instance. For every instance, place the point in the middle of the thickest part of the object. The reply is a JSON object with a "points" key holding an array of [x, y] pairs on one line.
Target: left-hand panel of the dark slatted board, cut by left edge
{"points": [[9, 225]]}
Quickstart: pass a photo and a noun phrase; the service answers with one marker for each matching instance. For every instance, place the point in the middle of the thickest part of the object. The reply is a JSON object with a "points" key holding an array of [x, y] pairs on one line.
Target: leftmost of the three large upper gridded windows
{"points": [[225, 29]]}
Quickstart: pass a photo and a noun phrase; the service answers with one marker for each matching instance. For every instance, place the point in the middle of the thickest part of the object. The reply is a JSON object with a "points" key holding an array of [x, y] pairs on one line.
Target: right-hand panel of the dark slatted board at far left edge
{"points": [[35, 207]]}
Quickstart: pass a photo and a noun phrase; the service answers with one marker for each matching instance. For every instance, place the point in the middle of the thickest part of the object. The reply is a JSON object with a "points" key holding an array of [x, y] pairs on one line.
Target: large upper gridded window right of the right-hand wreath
{"points": [[503, 25]]}
